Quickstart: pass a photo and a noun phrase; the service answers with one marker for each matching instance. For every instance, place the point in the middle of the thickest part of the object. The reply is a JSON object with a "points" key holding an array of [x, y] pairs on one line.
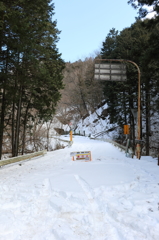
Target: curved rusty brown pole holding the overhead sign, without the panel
{"points": [[138, 147]]}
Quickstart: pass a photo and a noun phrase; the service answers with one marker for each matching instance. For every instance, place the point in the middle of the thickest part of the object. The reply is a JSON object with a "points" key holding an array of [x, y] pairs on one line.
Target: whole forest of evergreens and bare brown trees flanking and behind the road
{"points": [[36, 84]]}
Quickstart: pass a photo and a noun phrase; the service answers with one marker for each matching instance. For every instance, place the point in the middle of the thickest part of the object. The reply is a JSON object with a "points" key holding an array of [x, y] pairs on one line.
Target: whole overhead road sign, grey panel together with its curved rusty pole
{"points": [[117, 72]]}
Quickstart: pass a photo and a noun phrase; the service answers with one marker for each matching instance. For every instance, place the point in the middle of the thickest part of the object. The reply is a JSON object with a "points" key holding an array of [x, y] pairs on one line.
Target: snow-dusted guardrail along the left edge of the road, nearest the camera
{"points": [[21, 158]]}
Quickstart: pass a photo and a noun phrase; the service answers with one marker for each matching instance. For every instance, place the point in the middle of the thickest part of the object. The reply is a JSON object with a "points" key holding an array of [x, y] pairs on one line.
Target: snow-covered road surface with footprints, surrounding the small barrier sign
{"points": [[54, 198]]}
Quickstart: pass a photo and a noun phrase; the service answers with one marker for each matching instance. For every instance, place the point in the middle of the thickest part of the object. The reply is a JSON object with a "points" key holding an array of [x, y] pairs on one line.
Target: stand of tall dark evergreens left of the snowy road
{"points": [[31, 67]]}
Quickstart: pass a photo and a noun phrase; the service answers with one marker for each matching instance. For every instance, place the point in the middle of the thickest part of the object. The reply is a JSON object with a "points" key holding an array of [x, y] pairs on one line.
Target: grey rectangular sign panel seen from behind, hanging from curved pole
{"points": [[110, 71]]}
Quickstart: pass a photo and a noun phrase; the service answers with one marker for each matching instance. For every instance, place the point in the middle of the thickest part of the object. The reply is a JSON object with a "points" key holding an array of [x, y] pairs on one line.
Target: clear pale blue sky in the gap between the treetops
{"points": [[84, 24]]}
